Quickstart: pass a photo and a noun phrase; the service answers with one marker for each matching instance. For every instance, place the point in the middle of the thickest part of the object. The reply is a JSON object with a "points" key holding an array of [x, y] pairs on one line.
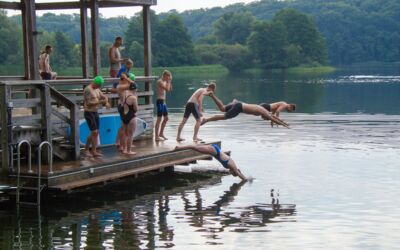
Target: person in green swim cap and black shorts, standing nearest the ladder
{"points": [[92, 98]]}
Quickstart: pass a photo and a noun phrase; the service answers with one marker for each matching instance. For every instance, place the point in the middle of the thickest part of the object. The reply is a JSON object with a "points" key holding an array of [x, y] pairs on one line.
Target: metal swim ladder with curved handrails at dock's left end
{"points": [[38, 188]]}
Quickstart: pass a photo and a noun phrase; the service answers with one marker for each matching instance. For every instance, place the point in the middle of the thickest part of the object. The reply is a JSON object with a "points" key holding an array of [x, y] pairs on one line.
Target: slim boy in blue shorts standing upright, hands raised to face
{"points": [[163, 85]]}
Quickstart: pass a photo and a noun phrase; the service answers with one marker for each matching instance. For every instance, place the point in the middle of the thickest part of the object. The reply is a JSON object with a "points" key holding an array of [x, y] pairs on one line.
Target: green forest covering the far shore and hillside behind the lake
{"points": [[265, 34]]}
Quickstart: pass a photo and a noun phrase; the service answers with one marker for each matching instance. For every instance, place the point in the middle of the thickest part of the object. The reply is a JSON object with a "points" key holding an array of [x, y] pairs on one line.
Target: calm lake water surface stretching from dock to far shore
{"points": [[339, 164]]}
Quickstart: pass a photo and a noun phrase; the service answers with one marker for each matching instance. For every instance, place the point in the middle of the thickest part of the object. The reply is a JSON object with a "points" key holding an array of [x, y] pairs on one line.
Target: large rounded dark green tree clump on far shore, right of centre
{"points": [[290, 39]]}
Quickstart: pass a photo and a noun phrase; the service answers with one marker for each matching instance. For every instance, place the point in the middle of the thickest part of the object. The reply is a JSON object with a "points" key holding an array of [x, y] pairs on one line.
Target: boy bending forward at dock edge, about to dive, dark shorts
{"points": [[195, 106]]}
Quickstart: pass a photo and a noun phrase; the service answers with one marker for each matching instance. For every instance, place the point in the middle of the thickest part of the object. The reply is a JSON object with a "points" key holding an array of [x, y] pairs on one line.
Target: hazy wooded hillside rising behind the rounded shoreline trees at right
{"points": [[354, 30]]}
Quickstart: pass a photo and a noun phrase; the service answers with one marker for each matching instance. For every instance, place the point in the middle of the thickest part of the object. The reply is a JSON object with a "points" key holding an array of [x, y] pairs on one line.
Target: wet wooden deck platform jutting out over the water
{"points": [[150, 156]]}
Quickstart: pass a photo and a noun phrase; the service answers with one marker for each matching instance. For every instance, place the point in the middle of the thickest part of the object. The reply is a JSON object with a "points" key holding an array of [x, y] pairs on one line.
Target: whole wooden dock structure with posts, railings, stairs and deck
{"points": [[36, 112]]}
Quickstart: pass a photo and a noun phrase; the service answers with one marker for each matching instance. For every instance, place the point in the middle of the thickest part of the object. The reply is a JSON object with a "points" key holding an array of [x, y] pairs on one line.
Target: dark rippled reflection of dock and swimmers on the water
{"points": [[143, 222]]}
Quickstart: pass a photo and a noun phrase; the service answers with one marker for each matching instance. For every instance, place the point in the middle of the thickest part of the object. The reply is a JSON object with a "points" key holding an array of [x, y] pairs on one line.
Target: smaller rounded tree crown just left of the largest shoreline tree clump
{"points": [[233, 27]]}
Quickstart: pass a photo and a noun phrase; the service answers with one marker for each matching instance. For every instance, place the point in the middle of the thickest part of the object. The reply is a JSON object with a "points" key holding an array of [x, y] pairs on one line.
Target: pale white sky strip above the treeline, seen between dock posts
{"points": [[162, 6]]}
